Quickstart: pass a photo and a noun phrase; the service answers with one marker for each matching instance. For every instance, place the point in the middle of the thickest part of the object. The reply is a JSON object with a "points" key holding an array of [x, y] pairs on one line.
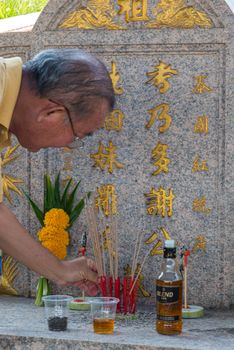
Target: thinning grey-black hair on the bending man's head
{"points": [[71, 77]]}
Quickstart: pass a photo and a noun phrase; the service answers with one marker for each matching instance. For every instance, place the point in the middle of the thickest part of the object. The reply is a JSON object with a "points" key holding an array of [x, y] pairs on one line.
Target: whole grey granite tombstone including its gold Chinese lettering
{"points": [[166, 152]]}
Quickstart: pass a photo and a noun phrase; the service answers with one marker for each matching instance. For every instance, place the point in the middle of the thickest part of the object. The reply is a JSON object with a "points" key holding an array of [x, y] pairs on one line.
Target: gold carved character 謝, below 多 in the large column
{"points": [[159, 202]]}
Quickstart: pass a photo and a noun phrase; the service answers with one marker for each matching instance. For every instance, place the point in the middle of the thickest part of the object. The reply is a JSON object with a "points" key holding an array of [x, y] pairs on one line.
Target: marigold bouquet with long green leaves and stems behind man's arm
{"points": [[59, 213]]}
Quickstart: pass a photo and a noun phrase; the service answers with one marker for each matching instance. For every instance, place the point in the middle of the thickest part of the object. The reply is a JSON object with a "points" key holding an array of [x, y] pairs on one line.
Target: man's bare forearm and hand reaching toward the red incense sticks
{"points": [[23, 247]]}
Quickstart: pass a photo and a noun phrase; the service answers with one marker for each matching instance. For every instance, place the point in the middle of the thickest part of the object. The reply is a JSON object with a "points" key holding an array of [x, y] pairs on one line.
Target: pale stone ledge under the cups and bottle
{"points": [[23, 327]]}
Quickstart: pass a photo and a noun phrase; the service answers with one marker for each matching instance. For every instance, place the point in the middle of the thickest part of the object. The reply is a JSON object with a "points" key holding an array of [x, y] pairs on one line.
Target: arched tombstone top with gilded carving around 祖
{"points": [[125, 15]]}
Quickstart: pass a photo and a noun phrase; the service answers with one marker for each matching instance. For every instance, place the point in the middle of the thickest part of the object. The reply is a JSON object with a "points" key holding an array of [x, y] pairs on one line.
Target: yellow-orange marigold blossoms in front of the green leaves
{"points": [[53, 235]]}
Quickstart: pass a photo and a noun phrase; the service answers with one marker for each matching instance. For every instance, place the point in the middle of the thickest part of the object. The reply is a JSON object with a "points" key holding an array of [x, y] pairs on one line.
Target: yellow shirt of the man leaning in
{"points": [[10, 80]]}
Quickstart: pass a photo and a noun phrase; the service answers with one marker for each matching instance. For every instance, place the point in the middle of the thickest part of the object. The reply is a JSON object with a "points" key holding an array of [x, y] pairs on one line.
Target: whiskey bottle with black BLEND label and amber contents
{"points": [[169, 293]]}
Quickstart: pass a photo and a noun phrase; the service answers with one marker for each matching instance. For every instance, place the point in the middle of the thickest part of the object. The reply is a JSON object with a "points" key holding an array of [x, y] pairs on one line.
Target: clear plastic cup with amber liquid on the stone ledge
{"points": [[103, 310]]}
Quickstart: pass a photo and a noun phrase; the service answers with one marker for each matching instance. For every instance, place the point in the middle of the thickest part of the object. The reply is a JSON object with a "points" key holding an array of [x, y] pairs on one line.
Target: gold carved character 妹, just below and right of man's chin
{"points": [[108, 159]]}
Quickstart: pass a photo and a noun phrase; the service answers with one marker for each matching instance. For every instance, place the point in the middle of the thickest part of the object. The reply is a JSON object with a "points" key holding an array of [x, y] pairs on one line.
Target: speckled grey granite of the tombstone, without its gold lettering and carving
{"points": [[136, 50]]}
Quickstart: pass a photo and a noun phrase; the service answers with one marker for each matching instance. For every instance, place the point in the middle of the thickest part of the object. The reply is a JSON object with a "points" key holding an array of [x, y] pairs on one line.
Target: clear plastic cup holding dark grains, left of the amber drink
{"points": [[56, 311]]}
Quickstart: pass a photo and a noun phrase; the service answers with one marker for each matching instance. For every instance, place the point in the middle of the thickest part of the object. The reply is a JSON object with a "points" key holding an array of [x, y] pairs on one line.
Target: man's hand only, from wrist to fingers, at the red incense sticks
{"points": [[82, 273]]}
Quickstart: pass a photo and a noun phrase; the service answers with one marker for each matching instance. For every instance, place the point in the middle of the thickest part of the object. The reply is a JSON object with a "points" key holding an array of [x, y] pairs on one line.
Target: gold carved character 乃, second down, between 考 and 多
{"points": [[162, 115]]}
